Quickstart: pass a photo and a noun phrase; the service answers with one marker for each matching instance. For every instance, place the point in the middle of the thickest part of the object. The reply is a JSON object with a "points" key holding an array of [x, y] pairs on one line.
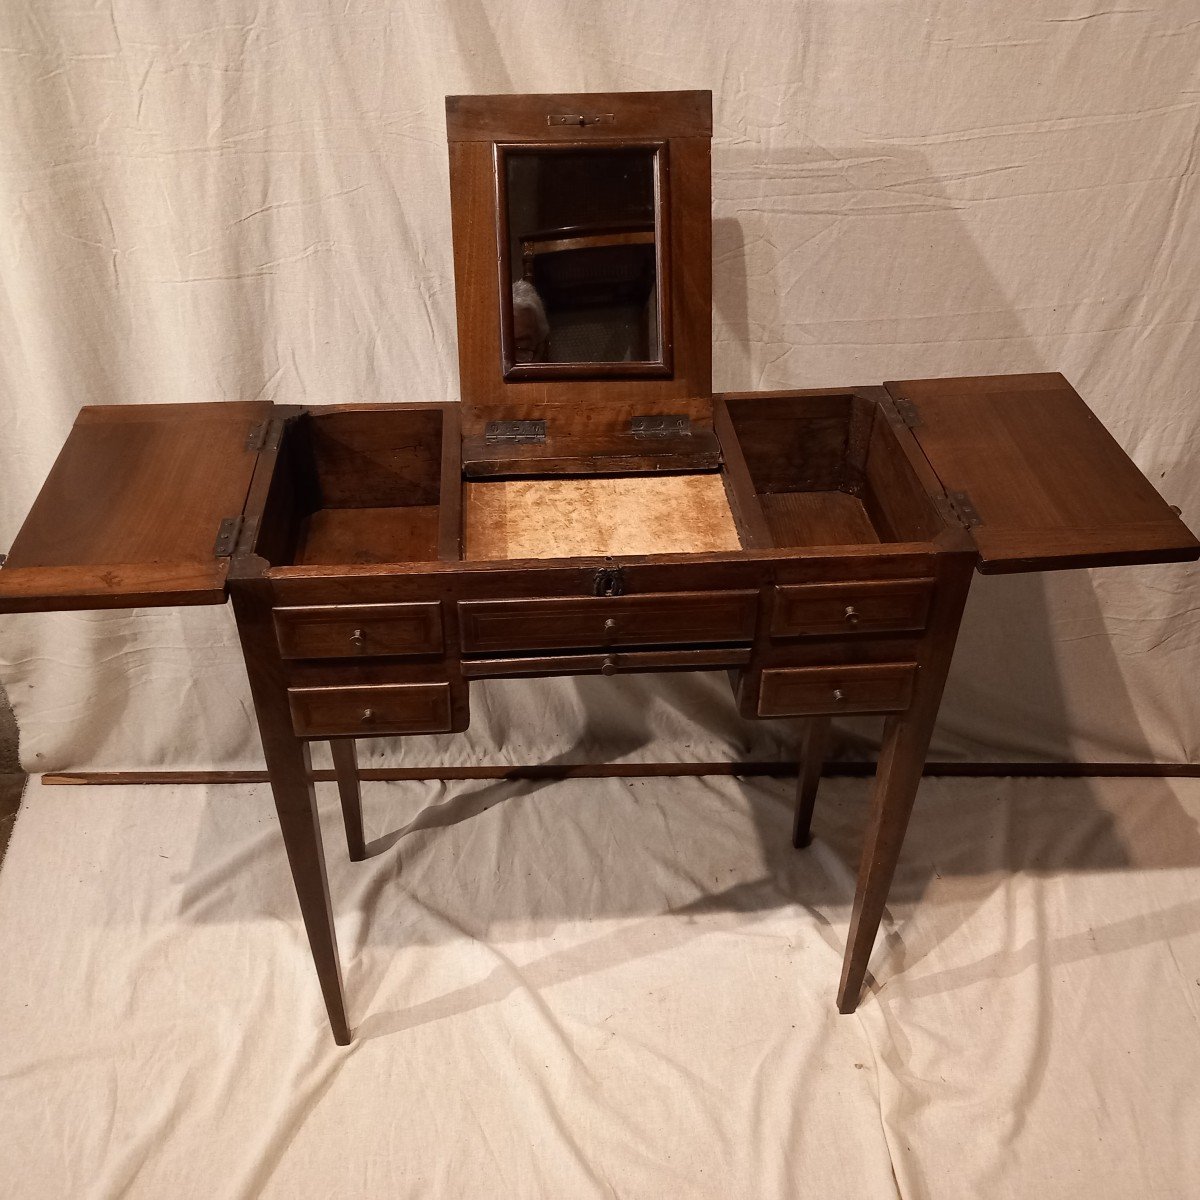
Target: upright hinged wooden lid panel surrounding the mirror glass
{"points": [[592, 410]]}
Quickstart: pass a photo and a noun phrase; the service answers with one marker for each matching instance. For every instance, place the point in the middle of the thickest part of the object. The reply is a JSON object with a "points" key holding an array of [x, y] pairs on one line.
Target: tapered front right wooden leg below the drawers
{"points": [[902, 763]]}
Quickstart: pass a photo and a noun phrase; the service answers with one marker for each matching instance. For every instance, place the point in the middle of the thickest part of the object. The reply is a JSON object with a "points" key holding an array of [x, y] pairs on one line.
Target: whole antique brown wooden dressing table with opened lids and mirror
{"points": [[599, 515]]}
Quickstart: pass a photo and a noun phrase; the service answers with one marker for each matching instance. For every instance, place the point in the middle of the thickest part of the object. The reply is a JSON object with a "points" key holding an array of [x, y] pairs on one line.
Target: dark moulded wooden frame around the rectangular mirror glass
{"points": [[643, 369]]}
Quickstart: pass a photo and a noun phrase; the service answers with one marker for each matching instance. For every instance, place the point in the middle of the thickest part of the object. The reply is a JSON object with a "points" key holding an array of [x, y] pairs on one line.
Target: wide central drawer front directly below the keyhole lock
{"points": [[667, 619]]}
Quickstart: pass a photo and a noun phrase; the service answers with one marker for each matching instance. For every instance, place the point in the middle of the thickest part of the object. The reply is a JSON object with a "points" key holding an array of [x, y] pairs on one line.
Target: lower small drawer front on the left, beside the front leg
{"points": [[371, 710]]}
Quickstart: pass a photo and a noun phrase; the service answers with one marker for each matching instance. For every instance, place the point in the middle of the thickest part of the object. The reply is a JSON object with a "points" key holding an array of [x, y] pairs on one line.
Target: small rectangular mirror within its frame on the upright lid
{"points": [[583, 261]]}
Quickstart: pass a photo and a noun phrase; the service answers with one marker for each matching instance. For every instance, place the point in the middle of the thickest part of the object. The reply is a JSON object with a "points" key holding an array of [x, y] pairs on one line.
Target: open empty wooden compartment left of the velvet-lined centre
{"points": [[365, 485]]}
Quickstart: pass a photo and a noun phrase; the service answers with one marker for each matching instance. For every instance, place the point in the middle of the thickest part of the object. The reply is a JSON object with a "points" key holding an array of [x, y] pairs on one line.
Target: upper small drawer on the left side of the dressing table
{"points": [[343, 632]]}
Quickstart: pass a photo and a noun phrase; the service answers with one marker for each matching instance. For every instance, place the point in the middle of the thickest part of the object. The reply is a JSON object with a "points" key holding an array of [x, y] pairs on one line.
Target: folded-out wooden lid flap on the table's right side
{"points": [[1051, 485]]}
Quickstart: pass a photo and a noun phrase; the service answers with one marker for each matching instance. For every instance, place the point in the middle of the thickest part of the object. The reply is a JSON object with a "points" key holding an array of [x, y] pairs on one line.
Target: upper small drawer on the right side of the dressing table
{"points": [[867, 608]]}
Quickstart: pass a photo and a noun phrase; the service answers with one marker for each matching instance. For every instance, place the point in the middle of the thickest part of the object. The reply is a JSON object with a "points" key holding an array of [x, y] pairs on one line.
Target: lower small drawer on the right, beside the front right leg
{"points": [[859, 688]]}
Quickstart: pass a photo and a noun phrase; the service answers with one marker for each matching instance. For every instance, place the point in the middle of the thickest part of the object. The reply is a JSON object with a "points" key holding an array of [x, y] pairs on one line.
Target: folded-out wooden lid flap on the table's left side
{"points": [[131, 509]]}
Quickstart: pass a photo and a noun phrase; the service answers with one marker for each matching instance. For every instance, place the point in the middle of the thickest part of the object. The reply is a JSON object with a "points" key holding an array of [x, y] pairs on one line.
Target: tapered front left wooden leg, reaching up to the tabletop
{"points": [[296, 802]]}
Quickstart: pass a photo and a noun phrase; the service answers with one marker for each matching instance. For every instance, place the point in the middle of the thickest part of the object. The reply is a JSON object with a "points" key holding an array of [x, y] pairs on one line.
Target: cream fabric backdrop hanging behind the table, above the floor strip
{"points": [[239, 200]]}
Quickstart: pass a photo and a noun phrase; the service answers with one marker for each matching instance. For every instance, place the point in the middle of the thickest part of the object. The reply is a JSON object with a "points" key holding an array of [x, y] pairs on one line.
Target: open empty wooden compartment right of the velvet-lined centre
{"points": [[829, 471]]}
